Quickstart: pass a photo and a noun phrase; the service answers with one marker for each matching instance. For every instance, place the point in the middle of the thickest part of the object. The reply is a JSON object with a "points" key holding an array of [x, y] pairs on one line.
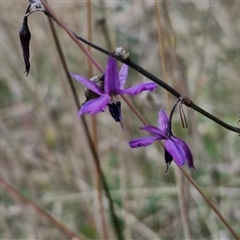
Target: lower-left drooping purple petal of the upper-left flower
{"points": [[94, 106]]}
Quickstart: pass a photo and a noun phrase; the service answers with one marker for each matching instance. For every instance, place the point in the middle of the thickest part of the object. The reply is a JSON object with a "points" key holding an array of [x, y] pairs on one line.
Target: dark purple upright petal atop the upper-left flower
{"points": [[111, 81]]}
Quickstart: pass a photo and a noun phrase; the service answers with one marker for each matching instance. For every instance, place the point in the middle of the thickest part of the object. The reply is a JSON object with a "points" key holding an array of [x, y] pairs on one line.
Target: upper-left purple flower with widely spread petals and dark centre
{"points": [[114, 82]]}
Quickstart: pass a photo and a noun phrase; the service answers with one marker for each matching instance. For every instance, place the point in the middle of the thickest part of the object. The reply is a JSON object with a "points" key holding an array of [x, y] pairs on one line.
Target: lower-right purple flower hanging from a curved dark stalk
{"points": [[175, 148]]}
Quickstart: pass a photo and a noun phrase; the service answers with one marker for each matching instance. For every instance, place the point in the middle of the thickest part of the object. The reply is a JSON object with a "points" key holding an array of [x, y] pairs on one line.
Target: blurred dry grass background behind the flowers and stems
{"points": [[45, 156]]}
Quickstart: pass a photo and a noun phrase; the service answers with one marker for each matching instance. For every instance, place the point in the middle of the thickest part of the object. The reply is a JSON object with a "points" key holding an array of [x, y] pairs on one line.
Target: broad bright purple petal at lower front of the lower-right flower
{"points": [[176, 151]]}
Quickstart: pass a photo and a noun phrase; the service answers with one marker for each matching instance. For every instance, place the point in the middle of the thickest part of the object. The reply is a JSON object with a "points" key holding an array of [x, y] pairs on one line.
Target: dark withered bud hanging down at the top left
{"points": [[25, 37]]}
